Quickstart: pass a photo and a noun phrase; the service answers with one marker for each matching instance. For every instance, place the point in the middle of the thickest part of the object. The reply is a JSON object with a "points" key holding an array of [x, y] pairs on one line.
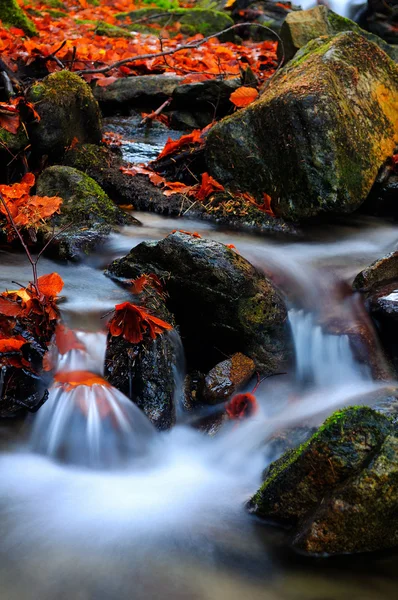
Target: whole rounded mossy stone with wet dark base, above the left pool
{"points": [[86, 208]]}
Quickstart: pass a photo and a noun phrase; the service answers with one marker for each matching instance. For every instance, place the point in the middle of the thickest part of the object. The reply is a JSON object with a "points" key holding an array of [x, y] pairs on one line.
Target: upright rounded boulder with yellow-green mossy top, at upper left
{"points": [[68, 112]]}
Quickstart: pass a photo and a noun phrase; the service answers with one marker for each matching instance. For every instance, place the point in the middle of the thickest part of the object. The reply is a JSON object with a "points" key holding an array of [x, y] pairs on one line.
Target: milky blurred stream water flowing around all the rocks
{"points": [[98, 509]]}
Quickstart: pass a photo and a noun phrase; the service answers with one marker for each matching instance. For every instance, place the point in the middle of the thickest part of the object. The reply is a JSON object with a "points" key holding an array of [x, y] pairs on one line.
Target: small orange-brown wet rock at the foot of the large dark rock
{"points": [[226, 377]]}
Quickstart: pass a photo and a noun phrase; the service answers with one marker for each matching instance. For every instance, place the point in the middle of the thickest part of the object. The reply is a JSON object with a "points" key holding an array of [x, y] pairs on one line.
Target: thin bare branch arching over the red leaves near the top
{"points": [[189, 45]]}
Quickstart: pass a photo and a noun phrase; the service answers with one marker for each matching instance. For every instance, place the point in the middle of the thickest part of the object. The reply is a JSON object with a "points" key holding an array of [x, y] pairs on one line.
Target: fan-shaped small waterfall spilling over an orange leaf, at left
{"points": [[85, 421]]}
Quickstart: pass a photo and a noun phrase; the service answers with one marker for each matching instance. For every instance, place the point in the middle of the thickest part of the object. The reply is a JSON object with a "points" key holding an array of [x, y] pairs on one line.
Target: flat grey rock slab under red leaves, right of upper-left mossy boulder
{"points": [[143, 90]]}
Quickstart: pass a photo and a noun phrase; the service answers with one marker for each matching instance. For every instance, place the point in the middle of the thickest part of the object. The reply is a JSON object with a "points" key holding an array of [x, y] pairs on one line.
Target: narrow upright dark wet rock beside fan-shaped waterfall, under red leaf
{"points": [[145, 372]]}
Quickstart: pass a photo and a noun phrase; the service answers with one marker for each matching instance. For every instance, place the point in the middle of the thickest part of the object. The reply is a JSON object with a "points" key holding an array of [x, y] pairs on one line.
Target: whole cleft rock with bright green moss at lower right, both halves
{"points": [[338, 490]]}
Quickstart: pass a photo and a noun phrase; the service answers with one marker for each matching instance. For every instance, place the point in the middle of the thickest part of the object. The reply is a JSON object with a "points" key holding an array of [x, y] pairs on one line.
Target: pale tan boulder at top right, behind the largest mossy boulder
{"points": [[300, 27]]}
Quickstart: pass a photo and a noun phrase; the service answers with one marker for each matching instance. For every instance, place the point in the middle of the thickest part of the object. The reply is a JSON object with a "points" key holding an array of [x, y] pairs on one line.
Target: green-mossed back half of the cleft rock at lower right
{"points": [[301, 479]]}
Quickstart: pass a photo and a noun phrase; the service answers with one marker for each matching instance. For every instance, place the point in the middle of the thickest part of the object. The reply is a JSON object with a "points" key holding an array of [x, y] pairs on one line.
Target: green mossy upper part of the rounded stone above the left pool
{"points": [[84, 202]]}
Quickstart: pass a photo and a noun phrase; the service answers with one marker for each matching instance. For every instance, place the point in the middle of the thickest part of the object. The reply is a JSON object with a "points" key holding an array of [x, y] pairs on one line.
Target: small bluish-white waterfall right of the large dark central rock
{"points": [[323, 359]]}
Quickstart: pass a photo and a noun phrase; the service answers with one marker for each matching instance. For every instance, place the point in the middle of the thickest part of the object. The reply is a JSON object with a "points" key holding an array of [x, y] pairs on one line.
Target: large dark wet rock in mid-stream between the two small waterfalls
{"points": [[221, 303]]}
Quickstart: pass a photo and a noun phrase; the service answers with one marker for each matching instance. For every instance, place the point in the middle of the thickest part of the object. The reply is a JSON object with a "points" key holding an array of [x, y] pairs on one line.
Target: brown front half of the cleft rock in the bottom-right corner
{"points": [[361, 516]]}
